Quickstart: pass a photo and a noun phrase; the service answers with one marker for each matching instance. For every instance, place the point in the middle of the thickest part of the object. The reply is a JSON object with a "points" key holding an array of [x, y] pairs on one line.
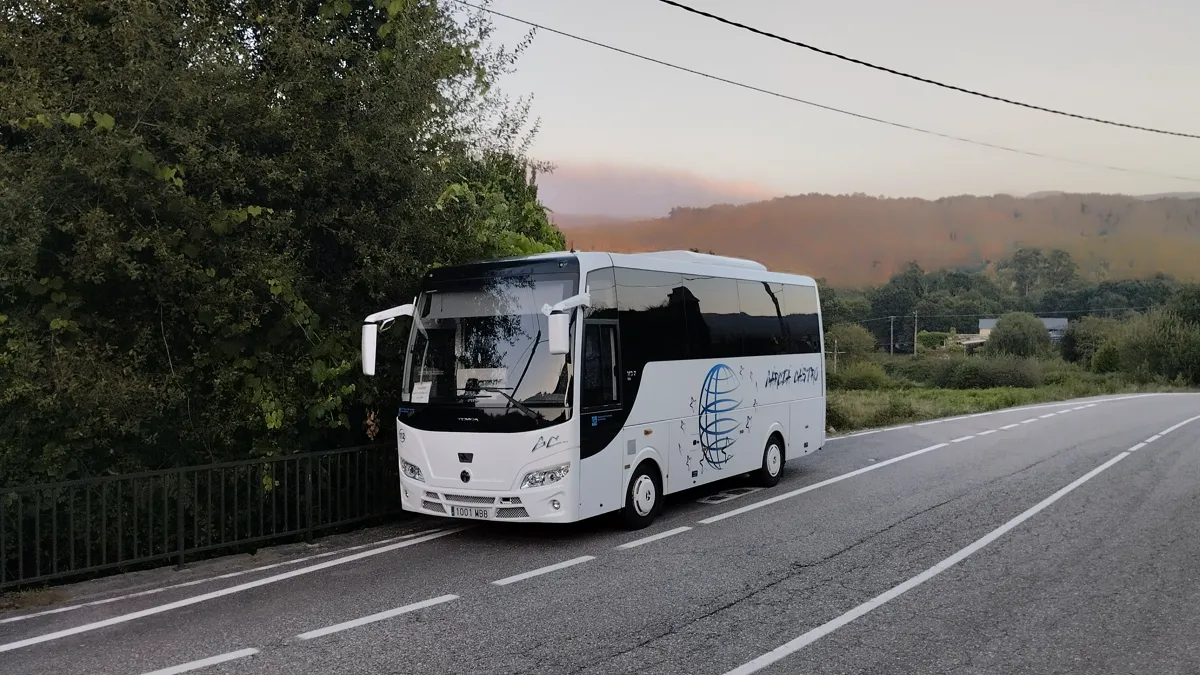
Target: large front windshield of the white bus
{"points": [[479, 356]]}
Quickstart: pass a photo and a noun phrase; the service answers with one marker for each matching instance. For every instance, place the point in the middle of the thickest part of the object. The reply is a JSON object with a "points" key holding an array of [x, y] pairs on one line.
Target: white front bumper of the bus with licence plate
{"points": [[550, 504]]}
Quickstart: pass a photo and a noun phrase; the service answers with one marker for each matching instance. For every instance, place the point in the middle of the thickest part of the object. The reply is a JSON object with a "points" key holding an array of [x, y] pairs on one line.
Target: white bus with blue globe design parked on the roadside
{"points": [[559, 387]]}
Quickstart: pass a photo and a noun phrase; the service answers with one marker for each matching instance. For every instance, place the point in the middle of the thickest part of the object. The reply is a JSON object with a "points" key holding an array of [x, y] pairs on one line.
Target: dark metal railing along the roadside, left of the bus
{"points": [[64, 530]]}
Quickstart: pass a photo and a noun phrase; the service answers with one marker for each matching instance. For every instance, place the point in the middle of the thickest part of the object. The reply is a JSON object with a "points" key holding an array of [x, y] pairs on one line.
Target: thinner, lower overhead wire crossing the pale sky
{"points": [[823, 106]]}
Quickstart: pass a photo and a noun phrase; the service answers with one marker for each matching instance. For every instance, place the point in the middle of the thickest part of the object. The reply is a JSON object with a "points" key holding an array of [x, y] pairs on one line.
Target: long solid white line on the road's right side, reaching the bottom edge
{"points": [[815, 635]]}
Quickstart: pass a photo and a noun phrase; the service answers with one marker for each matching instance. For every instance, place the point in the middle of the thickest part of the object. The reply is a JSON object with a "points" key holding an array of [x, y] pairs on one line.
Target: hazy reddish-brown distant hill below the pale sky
{"points": [[855, 241]]}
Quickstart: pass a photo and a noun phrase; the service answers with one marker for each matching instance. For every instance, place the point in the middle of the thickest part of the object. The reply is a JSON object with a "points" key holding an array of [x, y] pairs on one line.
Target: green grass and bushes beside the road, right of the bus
{"points": [[1157, 351]]}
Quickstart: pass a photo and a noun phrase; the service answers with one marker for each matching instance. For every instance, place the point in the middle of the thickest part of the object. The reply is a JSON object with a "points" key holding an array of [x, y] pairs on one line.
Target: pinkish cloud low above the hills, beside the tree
{"points": [[635, 193]]}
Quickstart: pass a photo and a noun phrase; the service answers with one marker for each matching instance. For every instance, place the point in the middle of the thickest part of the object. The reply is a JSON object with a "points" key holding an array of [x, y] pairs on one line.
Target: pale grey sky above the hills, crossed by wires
{"points": [[1131, 62]]}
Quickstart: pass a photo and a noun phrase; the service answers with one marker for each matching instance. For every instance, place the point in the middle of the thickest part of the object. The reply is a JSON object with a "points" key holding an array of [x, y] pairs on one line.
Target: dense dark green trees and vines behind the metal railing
{"points": [[201, 200]]}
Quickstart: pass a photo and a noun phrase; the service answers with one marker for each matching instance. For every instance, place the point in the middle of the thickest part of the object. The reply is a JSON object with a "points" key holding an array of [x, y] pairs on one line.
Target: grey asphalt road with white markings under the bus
{"points": [[1046, 541]]}
